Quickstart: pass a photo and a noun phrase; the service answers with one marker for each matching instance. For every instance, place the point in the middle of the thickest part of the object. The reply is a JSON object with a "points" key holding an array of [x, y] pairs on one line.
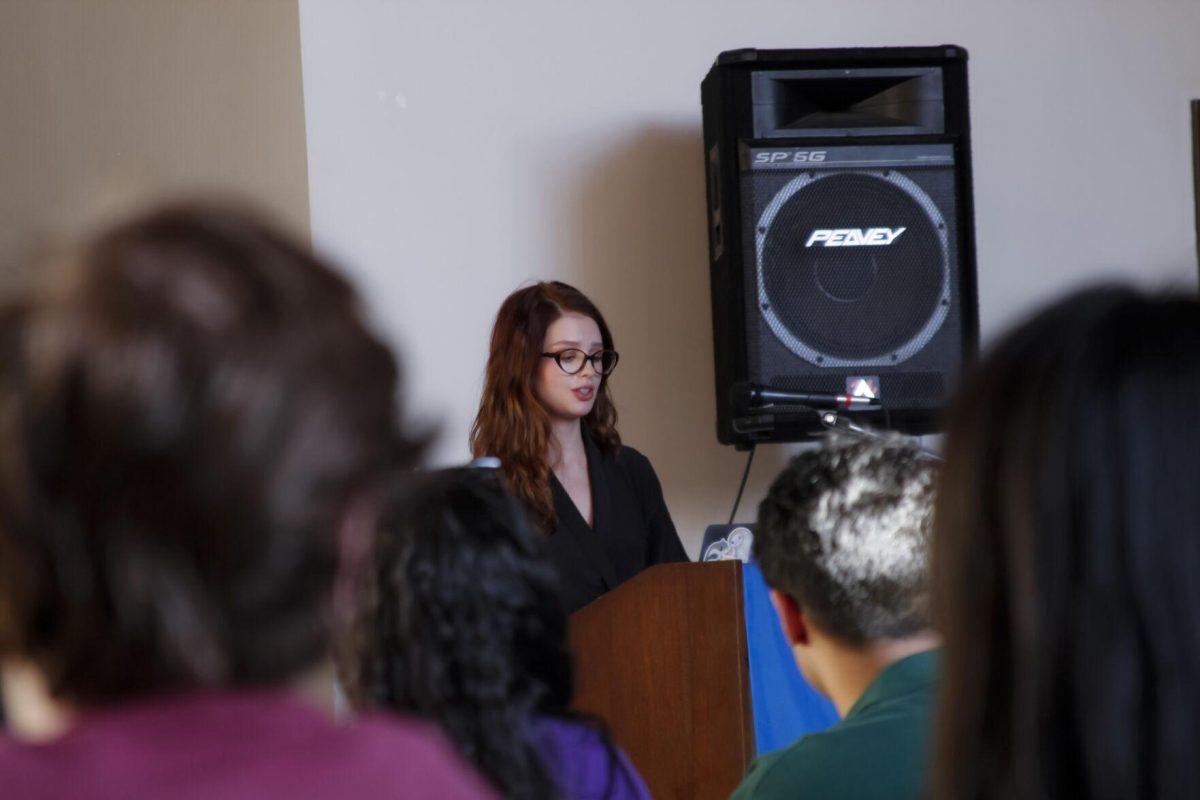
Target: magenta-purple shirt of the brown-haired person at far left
{"points": [[235, 747]]}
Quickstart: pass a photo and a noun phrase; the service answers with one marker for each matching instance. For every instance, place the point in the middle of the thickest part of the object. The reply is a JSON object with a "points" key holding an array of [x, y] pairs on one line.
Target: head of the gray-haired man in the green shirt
{"points": [[843, 540]]}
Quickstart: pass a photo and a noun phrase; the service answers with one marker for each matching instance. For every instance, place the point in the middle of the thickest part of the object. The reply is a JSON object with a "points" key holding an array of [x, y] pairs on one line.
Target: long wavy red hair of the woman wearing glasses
{"points": [[513, 424]]}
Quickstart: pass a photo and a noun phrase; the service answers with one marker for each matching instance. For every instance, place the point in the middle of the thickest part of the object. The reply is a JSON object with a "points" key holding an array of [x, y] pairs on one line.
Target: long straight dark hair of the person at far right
{"points": [[1067, 557]]}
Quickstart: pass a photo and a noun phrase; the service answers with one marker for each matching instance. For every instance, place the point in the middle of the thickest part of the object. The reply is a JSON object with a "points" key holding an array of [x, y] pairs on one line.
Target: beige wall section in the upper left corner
{"points": [[111, 103]]}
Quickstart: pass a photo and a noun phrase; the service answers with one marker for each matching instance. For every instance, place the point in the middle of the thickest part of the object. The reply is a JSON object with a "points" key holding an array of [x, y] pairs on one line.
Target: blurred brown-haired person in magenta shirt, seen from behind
{"points": [[189, 419]]}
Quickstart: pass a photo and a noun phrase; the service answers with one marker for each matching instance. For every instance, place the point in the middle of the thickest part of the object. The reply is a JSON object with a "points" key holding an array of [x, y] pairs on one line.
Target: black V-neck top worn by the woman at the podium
{"points": [[633, 528]]}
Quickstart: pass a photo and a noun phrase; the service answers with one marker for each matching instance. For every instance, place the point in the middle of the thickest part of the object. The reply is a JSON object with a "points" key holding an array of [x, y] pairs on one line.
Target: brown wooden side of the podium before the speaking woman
{"points": [[663, 659]]}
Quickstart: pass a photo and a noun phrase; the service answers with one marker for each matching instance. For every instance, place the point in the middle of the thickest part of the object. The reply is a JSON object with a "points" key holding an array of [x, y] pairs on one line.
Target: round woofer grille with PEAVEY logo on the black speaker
{"points": [[847, 303]]}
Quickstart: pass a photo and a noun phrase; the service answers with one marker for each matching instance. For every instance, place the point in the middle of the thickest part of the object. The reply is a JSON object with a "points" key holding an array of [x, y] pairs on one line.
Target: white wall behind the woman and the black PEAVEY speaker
{"points": [[459, 149]]}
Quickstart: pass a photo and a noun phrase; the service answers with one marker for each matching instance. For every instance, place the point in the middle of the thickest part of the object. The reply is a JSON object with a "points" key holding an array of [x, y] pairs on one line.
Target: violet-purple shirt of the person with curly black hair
{"points": [[585, 765]]}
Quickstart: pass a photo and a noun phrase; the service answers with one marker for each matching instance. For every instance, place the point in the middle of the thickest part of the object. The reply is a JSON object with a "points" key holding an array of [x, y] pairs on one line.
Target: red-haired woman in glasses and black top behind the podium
{"points": [[547, 413]]}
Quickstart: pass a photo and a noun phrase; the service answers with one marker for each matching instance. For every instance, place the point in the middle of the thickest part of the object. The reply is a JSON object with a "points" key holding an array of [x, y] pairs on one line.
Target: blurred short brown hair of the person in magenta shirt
{"points": [[189, 416]]}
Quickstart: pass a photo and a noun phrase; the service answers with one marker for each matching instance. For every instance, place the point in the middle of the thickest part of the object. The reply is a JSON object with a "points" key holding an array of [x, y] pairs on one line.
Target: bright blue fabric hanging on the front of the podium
{"points": [[785, 707]]}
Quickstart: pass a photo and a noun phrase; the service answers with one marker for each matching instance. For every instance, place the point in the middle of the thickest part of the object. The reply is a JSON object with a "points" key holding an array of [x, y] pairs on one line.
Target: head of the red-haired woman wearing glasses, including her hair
{"points": [[550, 358]]}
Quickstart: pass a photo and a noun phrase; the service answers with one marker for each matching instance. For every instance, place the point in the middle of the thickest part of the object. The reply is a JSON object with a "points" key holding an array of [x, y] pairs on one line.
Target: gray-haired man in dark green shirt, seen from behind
{"points": [[843, 542]]}
